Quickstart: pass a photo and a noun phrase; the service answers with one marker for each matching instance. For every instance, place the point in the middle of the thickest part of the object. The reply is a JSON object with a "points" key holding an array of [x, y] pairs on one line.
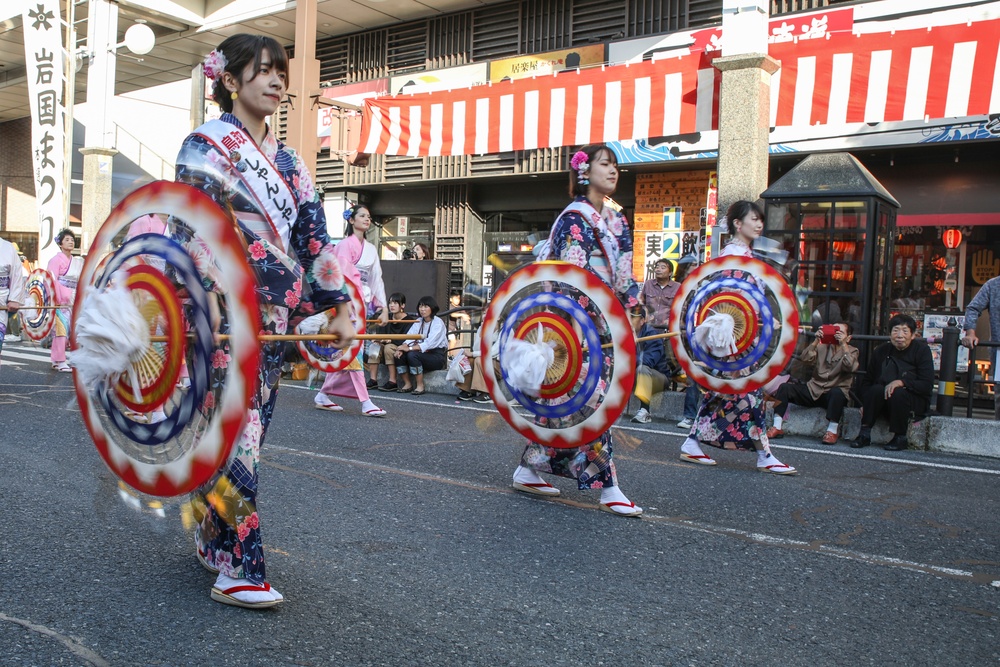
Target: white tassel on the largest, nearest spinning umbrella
{"points": [[111, 335]]}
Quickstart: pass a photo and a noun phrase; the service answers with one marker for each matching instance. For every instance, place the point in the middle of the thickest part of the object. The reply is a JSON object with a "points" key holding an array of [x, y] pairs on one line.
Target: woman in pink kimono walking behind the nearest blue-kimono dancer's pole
{"points": [[360, 263]]}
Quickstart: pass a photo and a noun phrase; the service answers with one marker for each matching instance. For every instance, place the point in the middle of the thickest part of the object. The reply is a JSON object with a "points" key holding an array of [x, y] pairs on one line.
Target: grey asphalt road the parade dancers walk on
{"points": [[399, 541]]}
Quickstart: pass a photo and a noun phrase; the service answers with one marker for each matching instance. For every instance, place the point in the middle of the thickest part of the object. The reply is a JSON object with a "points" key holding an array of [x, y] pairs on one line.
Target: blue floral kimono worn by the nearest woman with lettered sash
{"points": [[292, 283]]}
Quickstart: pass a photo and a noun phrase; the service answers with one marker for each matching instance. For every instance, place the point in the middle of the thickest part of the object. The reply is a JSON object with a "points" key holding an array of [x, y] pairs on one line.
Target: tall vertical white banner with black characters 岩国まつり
{"points": [[44, 60]]}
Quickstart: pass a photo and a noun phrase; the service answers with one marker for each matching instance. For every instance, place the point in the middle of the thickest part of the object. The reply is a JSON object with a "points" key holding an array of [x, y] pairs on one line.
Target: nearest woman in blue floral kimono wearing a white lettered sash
{"points": [[239, 163]]}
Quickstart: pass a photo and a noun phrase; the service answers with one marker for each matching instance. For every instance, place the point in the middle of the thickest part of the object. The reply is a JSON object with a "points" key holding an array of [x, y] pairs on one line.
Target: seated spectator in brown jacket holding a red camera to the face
{"points": [[828, 387]]}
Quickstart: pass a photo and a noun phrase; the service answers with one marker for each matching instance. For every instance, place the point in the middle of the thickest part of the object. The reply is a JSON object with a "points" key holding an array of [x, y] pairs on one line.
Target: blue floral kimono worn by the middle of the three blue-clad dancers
{"points": [[574, 239]]}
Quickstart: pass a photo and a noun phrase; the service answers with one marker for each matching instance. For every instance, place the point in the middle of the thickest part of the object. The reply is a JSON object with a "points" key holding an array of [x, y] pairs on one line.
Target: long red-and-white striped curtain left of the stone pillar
{"points": [[666, 97]]}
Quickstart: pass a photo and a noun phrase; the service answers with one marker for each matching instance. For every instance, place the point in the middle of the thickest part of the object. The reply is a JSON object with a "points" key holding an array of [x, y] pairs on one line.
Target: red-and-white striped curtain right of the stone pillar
{"points": [[944, 72]]}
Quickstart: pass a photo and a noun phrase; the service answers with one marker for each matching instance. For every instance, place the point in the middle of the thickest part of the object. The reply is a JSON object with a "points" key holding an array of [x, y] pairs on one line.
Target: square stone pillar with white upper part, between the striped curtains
{"points": [[744, 103]]}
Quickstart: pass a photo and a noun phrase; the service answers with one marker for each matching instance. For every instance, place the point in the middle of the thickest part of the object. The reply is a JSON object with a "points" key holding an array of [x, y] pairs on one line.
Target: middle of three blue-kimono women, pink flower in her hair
{"points": [[592, 235]]}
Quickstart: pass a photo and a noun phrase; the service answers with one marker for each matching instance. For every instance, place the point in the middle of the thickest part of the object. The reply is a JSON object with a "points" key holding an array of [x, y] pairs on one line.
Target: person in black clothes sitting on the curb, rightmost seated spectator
{"points": [[899, 381]]}
